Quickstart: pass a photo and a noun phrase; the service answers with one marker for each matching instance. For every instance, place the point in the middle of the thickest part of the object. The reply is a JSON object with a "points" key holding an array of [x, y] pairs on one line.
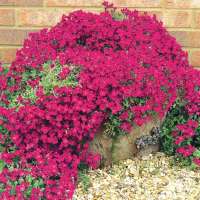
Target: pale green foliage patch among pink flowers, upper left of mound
{"points": [[49, 79]]}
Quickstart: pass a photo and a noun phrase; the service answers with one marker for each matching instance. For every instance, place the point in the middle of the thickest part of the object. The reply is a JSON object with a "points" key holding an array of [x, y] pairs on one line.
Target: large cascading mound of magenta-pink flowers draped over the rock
{"points": [[66, 82]]}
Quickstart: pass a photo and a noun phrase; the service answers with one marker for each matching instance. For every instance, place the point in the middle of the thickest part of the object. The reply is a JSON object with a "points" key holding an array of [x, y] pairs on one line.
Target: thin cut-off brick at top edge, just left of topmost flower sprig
{"points": [[75, 3]]}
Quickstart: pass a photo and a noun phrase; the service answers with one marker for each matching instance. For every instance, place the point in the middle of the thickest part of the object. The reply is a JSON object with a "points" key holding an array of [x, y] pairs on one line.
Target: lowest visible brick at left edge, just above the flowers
{"points": [[7, 54]]}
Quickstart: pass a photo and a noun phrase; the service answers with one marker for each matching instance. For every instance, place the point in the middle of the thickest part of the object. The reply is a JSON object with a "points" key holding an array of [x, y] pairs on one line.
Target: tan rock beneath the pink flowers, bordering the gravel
{"points": [[123, 147]]}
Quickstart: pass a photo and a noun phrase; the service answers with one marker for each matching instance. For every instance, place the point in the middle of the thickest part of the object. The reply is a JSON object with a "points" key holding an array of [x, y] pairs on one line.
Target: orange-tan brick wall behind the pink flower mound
{"points": [[18, 17]]}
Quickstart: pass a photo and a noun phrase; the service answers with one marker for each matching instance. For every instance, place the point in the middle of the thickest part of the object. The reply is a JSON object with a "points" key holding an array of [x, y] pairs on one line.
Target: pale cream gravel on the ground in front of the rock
{"points": [[152, 177]]}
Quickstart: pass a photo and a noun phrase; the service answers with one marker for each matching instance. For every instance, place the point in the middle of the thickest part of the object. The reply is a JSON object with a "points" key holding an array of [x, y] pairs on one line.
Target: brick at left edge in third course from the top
{"points": [[13, 36]]}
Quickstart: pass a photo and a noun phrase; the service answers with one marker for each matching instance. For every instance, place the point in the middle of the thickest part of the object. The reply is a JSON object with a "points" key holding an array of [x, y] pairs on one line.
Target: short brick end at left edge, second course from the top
{"points": [[7, 17]]}
